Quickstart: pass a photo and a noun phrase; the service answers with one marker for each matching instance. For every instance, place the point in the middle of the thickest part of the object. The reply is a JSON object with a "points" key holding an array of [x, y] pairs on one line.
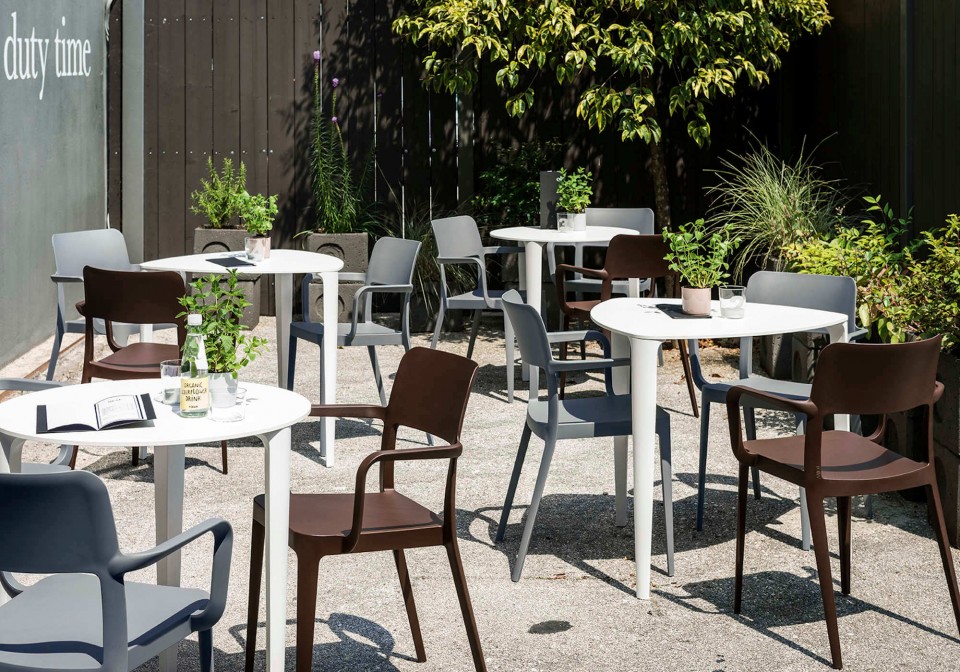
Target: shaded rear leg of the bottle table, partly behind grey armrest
{"points": [[168, 495]]}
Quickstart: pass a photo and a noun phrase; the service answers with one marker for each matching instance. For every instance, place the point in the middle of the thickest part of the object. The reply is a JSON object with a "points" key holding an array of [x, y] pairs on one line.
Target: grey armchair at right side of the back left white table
{"points": [[392, 263]]}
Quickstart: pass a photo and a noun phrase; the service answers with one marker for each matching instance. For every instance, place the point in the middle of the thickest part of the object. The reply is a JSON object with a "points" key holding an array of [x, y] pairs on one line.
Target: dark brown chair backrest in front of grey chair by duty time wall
{"points": [[134, 297]]}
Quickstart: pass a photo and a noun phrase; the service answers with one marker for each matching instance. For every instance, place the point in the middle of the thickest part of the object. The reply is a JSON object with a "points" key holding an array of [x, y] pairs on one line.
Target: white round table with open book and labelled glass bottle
{"points": [[270, 412]]}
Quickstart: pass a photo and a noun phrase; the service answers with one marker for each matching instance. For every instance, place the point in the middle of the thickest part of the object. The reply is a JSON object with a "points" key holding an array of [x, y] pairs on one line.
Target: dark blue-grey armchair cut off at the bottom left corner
{"points": [[62, 524]]}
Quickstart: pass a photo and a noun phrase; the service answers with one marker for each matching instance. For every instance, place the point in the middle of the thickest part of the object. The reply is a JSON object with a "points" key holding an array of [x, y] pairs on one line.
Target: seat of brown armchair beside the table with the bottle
{"points": [[390, 520]]}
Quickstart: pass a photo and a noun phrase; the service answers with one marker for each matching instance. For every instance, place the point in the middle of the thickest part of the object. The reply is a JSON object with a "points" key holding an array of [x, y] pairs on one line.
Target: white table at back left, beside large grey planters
{"points": [[284, 264]]}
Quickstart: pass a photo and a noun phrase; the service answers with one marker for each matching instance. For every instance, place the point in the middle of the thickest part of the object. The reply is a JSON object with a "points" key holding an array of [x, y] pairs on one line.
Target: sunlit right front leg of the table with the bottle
{"points": [[277, 504]]}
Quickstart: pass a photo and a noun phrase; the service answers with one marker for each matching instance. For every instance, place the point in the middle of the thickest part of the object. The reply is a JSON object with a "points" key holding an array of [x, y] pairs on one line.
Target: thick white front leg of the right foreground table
{"points": [[643, 385]]}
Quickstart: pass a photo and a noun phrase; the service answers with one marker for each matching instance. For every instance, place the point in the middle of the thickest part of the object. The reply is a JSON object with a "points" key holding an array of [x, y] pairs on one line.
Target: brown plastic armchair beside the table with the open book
{"points": [[430, 394]]}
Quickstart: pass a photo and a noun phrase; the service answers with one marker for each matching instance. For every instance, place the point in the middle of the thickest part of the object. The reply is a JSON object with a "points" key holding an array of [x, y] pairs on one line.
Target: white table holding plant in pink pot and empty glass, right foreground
{"points": [[639, 326]]}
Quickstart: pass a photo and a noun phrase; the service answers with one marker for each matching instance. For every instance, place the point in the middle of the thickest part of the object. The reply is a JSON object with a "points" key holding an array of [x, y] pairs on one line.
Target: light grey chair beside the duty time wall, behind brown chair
{"points": [[100, 248]]}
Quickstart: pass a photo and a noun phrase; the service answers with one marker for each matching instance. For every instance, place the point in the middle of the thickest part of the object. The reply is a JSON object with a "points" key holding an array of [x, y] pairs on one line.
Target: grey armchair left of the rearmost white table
{"points": [[458, 242]]}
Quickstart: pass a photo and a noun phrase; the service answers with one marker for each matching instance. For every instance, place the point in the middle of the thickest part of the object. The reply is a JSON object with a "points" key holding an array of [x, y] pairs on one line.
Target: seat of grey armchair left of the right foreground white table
{"points": [[588, 418]]}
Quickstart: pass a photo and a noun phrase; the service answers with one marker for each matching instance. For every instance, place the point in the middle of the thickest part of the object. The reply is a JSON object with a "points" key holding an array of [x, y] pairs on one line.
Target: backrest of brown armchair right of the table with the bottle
{"points": [[430, 393]]}
